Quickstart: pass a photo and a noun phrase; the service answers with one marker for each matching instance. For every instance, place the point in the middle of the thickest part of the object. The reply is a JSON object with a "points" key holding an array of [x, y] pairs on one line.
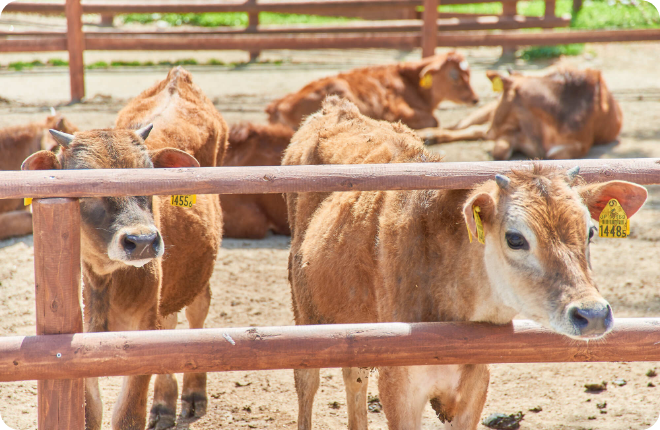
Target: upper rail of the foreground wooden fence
{"points": [[282, 179]]}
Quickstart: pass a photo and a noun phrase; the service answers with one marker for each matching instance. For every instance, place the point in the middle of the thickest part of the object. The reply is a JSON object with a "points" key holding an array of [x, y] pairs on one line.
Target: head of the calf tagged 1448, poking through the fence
{"points": [[538, 227]]}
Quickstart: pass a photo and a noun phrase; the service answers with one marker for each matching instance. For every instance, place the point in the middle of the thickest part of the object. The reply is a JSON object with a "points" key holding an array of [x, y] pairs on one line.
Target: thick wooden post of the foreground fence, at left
{"points": [[61, 403]]}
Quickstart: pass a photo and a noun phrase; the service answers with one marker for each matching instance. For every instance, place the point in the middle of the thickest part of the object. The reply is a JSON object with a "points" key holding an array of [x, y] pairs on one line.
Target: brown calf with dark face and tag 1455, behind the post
{"points": [[143, 259]]}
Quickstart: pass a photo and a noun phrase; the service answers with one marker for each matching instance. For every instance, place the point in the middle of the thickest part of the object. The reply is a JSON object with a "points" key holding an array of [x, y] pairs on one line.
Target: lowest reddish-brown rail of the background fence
{"points": [[404, 40]]}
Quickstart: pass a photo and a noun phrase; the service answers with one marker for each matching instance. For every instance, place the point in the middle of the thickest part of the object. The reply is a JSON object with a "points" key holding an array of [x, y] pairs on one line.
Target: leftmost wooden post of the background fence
{"points": [[76, 46]]}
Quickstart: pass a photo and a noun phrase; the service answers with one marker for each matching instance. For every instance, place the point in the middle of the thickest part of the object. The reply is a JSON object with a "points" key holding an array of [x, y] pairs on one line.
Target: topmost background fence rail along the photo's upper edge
{"points": [[198, 6]]}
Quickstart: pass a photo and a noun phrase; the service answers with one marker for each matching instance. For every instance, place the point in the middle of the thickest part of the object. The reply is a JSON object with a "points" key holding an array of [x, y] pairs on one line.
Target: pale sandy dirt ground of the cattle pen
{"points": [[250, 283]]}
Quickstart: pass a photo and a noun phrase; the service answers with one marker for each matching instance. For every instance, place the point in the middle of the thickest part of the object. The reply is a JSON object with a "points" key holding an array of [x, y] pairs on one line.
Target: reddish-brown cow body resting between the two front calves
{"points": [[250, 216]]}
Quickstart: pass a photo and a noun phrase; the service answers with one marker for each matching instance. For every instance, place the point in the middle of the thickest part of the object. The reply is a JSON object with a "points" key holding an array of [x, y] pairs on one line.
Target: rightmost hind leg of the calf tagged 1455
{"points": [[193, 396]]}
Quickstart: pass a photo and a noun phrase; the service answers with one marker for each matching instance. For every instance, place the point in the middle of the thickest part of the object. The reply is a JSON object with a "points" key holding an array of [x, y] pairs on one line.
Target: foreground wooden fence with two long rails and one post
{"points": [[59, 356]]}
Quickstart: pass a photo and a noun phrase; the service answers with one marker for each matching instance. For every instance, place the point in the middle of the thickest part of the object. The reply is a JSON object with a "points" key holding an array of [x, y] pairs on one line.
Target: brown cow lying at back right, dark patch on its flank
{"points": [[558, 116]]}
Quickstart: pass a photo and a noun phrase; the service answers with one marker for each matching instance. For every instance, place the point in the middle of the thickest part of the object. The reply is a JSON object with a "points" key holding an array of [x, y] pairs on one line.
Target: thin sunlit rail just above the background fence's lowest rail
{"points": [[403, 25]]}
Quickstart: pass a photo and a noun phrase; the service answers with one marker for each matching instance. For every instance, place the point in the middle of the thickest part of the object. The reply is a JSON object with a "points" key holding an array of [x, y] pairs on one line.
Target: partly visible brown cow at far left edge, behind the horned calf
{"points": [[16, 144]]}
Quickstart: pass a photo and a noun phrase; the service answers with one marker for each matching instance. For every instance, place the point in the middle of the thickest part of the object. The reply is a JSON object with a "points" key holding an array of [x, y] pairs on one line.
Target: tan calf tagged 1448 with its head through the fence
{"points": [[405, 256]]}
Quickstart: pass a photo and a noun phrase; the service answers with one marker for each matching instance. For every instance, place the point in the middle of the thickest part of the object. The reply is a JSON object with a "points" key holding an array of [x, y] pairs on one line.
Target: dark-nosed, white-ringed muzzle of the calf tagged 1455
{"points": [[136, 247]]}
